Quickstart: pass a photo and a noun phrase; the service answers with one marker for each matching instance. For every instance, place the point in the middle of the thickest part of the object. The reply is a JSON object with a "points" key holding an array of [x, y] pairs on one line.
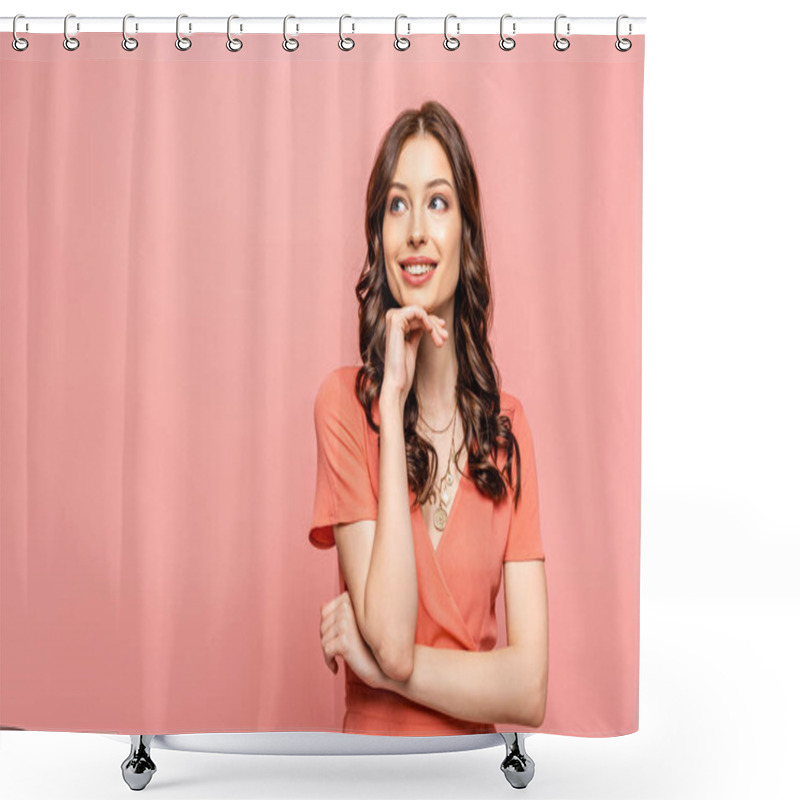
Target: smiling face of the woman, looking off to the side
{"points": [[422, 225]]}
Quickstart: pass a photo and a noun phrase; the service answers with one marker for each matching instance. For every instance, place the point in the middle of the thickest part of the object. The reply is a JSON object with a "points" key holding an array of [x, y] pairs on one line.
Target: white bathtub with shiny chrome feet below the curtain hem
{"points": [[138, 768]]}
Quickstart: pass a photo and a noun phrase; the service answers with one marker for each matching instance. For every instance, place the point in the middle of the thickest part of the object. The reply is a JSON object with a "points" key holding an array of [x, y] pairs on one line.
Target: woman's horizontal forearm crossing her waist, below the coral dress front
{"points": [[493, 686]]}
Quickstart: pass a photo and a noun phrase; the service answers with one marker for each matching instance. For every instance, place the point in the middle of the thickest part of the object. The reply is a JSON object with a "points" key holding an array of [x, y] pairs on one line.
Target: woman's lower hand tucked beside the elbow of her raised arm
{"points": [[340, 636]]}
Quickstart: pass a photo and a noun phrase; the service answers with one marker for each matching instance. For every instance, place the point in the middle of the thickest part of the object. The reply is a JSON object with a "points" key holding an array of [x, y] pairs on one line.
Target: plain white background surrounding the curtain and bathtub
{"points": [[720, 478]]}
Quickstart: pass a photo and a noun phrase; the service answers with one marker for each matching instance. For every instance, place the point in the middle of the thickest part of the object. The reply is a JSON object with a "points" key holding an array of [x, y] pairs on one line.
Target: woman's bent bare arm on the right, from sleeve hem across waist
{"points": [[507, 685]]}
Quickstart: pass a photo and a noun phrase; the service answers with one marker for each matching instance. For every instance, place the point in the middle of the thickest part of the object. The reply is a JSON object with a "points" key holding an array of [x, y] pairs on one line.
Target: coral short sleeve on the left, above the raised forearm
{"points": [[343, 489]]}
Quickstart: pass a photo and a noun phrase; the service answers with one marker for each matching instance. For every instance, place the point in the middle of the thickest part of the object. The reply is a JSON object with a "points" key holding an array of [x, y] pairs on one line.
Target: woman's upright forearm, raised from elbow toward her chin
{"points": [[390, 599]]}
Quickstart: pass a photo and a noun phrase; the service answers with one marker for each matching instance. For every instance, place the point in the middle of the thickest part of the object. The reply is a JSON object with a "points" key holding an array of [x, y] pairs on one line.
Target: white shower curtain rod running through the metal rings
{"points": [[407, 25]]}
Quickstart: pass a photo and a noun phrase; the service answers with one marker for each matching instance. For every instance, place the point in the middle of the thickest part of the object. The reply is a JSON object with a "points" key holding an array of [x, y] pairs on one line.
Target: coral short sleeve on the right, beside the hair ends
{"points": [[524, 541]]}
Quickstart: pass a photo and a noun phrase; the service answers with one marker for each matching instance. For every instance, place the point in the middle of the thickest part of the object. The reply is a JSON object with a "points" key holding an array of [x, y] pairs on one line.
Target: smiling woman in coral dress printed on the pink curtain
{"points": [[416, 489]]}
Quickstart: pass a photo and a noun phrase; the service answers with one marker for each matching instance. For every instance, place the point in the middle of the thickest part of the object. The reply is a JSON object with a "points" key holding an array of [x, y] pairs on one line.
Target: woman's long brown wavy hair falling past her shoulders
{"points": [[477, 394]]}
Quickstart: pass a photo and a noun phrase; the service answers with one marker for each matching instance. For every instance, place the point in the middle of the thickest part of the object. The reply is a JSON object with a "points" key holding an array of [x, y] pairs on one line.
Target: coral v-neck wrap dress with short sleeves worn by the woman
{"points": [[457, 582]]}
